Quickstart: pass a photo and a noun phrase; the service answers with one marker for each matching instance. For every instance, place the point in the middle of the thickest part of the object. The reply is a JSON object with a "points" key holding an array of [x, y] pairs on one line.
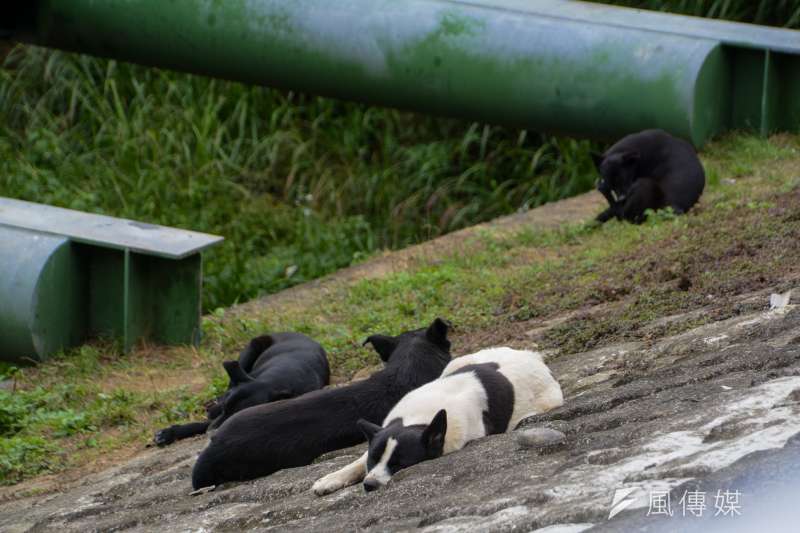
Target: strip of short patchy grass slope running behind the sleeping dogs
{"points": [[94, 405]]}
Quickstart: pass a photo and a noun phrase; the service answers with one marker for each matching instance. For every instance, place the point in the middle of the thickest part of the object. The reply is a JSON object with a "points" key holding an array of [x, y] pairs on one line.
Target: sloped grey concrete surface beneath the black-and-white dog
{"points": [[712, 409]]}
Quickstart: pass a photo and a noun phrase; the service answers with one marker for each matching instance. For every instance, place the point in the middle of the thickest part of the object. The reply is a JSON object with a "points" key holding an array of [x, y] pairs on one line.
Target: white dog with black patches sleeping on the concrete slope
{"points": [[480, 394]]}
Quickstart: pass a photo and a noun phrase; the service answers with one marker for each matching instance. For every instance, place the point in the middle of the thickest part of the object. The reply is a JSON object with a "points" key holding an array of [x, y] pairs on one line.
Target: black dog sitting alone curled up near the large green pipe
{"points": [[649, 170]]}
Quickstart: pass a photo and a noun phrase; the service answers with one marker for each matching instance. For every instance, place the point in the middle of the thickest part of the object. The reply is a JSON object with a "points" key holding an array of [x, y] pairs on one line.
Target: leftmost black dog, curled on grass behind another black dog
{"points": [[271, 368]]}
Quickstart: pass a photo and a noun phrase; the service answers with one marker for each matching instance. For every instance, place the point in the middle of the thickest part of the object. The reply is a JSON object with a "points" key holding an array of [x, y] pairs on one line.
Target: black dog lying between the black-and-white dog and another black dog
{"points": [[264, 439]]}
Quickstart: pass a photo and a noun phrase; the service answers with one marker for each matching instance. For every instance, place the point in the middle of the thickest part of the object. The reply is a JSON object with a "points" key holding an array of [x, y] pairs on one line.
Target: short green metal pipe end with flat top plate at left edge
{"points": [[67, 275]]}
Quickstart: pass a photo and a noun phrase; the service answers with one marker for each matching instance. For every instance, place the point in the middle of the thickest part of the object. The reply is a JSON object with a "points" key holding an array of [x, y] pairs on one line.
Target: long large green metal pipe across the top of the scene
{"points": [[549, 65]]}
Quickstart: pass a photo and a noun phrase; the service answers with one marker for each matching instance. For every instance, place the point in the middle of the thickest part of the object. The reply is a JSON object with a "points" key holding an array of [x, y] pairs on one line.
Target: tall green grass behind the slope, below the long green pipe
{"points": [[299, 186]]}
